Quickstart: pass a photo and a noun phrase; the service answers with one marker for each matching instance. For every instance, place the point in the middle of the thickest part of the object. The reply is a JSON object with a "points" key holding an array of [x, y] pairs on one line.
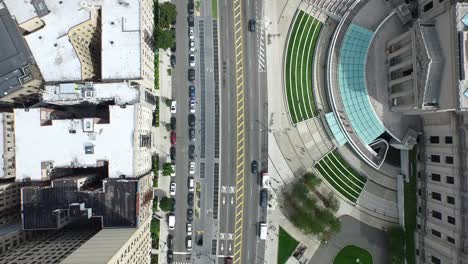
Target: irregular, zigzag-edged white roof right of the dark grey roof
{"points": [[50, 45]]}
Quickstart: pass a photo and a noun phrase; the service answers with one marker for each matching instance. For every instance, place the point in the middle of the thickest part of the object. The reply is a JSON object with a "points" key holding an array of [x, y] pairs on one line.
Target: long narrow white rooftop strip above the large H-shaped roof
{"points": [[72, 93]]}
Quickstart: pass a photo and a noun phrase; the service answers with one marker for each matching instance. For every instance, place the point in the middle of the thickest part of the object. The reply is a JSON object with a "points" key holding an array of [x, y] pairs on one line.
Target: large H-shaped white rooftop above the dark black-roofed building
{"points": [[112, 142]]}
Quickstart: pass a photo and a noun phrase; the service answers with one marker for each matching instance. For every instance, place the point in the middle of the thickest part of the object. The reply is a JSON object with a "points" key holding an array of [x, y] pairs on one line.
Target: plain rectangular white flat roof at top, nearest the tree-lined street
{"points": [[121, 40]]}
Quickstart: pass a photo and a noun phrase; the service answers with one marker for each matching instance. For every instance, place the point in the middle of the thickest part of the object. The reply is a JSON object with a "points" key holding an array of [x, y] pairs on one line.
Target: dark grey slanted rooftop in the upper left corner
{"points": [[14, 55]]}
